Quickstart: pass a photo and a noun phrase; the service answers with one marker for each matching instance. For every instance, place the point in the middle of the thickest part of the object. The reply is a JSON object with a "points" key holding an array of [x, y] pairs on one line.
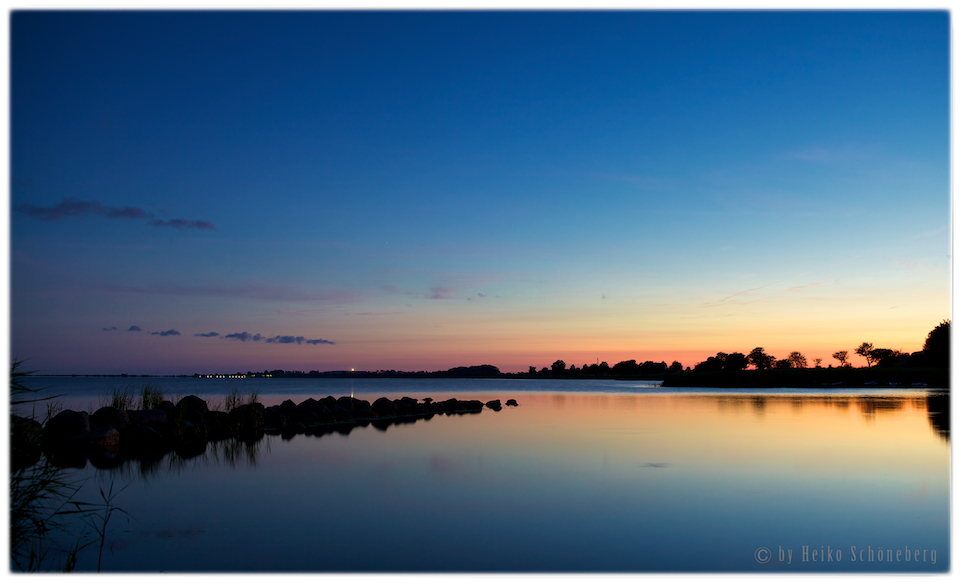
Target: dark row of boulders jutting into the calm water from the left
{"points": [[111, 435]]}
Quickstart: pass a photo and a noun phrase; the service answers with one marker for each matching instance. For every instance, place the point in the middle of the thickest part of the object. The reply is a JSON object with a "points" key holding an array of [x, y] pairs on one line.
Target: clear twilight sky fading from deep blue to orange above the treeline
{"points": [[198, 192]]}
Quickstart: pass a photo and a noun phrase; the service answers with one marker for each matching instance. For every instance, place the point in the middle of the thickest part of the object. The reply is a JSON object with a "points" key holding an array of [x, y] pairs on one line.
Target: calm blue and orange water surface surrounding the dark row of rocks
{"points": [[582, 477]]}
